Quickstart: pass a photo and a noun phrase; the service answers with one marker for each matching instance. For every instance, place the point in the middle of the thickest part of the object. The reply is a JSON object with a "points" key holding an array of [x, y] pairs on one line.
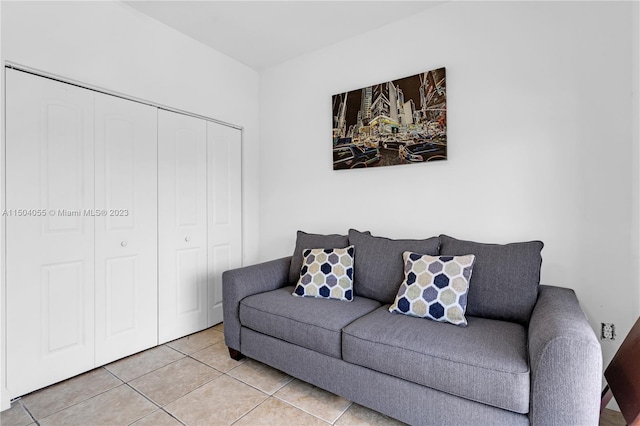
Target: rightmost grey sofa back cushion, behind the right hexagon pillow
{"points": [[505, 279]]}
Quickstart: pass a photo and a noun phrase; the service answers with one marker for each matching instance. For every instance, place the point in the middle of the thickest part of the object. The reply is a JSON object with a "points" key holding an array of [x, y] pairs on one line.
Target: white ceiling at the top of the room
{"points": [[261, 34]]}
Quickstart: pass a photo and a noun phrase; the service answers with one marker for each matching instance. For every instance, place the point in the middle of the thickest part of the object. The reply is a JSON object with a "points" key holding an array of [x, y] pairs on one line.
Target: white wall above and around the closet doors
{"points": [[112, 46]]}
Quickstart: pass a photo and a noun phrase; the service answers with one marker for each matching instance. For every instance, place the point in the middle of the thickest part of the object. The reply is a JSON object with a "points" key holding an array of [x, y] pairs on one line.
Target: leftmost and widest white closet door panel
{"points": [[50, 269]]}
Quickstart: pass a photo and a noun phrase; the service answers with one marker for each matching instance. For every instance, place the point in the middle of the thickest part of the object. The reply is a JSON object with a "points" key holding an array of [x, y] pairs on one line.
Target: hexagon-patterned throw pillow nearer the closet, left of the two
{"points": [[327, 274]]}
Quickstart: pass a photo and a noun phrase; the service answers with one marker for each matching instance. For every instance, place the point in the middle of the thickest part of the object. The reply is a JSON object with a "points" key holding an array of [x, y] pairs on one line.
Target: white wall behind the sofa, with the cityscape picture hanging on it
{"points": [[540, 133]]}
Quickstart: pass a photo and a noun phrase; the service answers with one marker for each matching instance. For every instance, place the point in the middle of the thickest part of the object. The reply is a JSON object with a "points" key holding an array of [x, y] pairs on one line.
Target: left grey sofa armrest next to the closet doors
{"points": [[242, 282]]}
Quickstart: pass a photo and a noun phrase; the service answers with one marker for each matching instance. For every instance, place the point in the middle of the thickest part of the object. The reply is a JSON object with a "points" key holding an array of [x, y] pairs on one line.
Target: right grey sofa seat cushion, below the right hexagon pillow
{"points": [[484, 362]]}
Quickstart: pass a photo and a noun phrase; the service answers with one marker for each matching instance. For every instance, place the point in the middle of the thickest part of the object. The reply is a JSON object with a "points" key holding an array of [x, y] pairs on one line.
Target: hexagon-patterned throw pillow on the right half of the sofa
{"points": [[435, 287]]}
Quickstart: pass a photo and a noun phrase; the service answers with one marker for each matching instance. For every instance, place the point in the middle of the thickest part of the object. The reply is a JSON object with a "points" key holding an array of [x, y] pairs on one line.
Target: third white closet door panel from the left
{"points": [[182, 225]]}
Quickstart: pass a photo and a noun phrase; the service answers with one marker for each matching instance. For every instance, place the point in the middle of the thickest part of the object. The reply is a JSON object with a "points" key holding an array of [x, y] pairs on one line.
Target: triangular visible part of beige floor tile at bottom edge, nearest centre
{"points": [[276, 412]]}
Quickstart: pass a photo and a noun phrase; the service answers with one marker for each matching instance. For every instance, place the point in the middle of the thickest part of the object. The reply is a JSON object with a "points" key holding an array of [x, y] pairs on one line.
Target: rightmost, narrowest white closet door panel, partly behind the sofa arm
{"points": [[224, 152]]}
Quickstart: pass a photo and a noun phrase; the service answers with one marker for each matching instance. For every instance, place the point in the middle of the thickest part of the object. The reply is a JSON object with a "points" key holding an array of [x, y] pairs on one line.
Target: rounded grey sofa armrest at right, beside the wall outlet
{"points": [[565, 360]]}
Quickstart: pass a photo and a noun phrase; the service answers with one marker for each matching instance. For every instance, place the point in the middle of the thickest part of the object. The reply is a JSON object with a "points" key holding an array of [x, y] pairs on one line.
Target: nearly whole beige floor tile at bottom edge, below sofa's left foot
{"points": [[220, 402]]}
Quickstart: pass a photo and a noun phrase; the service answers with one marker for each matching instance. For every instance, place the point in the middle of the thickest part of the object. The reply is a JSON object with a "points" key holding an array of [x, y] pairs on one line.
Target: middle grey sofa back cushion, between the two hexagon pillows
{"points": [[378, 267]]}
